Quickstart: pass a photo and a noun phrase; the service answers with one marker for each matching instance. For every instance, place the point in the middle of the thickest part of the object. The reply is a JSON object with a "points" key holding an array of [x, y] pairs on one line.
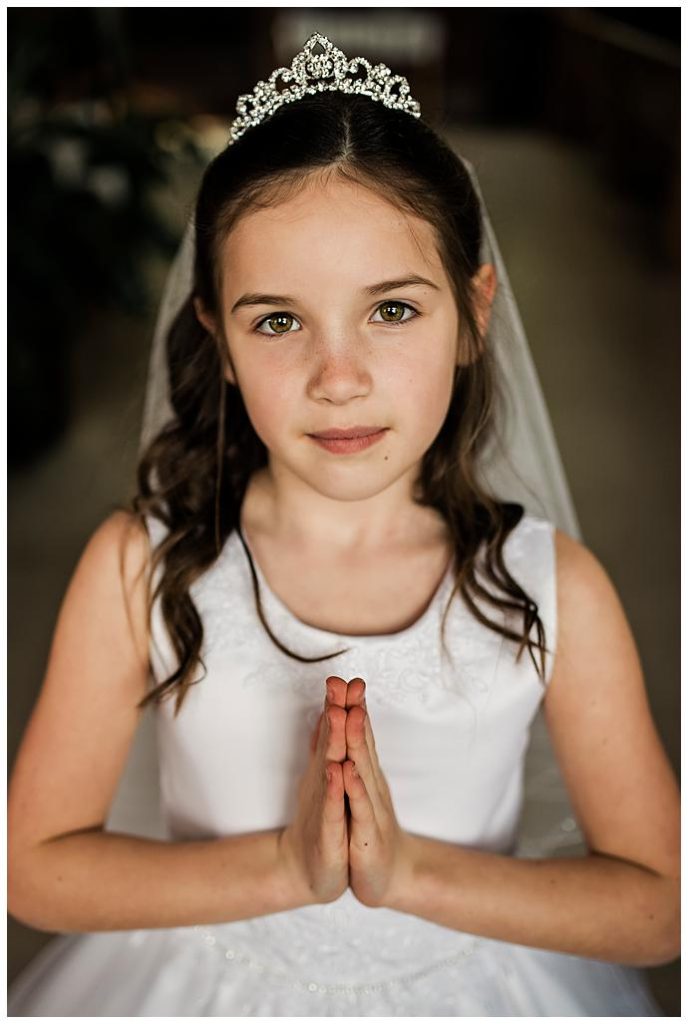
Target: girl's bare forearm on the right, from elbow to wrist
{"points": [[589, 907]]}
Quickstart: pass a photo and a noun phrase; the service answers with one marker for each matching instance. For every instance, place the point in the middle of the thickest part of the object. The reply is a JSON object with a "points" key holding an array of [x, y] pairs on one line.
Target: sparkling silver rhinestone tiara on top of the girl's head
{"points": [[312, 73]]}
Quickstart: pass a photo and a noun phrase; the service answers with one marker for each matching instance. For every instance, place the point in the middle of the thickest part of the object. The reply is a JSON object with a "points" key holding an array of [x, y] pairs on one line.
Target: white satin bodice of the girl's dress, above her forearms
{"points": [[451, 726]]}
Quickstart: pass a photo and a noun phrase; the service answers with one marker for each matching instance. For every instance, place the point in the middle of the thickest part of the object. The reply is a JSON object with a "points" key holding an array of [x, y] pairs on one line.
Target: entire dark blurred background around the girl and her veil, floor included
{"points": [[571, 117]]}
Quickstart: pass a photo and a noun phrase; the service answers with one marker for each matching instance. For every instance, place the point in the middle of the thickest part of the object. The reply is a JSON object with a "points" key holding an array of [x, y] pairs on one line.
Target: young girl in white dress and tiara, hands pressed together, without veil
{"points": [[328, 611]]}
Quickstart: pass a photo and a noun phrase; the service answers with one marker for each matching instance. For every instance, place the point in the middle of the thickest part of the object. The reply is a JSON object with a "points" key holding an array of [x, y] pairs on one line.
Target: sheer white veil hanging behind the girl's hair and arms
{"points": [[523, 464]]}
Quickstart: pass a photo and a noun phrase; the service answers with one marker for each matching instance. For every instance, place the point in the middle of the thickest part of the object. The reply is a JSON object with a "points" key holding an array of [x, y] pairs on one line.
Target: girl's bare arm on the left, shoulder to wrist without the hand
{"points": [[66, 873]]}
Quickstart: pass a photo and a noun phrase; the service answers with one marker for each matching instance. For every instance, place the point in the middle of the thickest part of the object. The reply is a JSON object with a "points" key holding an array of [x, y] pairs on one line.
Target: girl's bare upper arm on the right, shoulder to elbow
{"points": [[598, 714]]}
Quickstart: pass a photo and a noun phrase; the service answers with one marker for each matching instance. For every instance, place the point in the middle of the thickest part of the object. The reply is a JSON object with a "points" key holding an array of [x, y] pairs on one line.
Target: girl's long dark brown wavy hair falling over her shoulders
{"points": [[194, 475]]}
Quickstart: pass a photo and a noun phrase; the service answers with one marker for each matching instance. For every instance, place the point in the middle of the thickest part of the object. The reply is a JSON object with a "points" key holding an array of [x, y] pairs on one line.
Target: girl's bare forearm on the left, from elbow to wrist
{"points": [[99, 881]]}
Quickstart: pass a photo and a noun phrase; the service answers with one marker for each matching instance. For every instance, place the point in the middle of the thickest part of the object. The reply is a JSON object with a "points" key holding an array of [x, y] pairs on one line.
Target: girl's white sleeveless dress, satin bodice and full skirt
{"points": [[451, 735]]}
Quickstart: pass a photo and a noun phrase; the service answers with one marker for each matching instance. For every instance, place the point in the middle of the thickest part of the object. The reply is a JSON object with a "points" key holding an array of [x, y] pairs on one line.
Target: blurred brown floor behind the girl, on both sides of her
{"points": [[604, 325]]}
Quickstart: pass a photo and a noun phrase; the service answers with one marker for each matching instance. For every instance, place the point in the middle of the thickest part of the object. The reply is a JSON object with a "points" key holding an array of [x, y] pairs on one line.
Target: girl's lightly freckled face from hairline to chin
{"points": [[326, 328]]}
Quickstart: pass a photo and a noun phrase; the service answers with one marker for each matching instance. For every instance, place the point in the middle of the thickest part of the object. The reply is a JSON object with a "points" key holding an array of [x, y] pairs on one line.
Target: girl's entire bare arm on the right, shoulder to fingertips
{"points": [[622, 903]]}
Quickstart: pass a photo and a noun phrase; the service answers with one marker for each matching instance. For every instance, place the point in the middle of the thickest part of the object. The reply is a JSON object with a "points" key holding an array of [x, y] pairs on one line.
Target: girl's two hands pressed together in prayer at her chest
{"points": [[330, 846]]}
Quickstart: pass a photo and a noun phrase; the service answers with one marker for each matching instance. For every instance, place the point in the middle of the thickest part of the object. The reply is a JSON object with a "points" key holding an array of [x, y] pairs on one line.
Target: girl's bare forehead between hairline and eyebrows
{"points": [[336, 228]]}
